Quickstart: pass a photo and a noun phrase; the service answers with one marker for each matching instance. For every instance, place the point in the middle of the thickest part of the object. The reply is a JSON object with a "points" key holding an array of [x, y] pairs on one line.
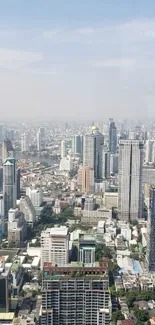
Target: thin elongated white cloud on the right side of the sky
{"points": [[115, 63]]}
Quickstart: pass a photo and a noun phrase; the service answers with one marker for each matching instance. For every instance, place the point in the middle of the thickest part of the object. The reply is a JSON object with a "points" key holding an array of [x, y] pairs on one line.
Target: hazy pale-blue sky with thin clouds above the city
{"points": [[77, 59]]}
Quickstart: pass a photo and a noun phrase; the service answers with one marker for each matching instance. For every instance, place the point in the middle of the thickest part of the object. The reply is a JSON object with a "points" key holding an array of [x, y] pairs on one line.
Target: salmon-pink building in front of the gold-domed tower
{"points": [[86, 179]]}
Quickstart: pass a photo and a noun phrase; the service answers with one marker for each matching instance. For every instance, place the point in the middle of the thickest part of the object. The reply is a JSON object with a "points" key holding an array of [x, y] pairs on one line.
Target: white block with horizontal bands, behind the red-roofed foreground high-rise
{"points": [[55, 246]]}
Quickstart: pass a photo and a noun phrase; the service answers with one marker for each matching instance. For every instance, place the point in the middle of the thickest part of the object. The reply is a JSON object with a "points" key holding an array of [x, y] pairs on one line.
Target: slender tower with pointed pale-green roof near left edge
{"points": [[9, 185]]}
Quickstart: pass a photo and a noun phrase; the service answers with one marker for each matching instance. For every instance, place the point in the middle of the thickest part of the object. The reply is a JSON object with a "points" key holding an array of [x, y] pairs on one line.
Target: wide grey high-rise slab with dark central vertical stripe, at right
{"points": [[130, 179]]}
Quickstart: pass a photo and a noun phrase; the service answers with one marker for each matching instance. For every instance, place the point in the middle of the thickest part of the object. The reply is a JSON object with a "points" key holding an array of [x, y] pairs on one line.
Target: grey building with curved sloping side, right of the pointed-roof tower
{"points": [[27, 208]]}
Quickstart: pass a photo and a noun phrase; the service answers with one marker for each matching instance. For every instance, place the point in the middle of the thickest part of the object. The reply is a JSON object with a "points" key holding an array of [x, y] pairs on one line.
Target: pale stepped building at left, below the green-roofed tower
{"points": [[17, 227]]}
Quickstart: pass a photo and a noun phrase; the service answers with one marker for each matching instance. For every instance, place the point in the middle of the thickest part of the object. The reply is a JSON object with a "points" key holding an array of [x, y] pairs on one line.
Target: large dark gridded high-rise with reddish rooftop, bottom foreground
{"points": [[76, 294]]}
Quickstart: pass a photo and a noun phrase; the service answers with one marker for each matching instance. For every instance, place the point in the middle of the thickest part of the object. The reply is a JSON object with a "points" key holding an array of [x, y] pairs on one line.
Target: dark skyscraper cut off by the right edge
{"points": [[150, 251]]}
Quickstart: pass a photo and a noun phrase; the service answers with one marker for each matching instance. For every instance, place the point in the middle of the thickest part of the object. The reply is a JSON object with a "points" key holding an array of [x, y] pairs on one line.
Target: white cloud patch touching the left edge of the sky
{"points": [[12, 59]]}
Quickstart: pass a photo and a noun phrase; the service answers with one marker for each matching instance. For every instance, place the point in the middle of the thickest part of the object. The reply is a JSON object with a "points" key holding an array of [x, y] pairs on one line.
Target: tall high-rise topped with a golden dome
{"points": [[92, 151]]}
